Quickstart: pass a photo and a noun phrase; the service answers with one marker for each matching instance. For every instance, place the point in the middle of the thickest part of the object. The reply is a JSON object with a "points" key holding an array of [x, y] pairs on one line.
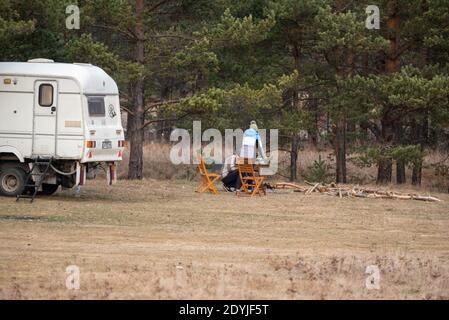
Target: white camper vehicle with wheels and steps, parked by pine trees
{"points": [[59, 123]]}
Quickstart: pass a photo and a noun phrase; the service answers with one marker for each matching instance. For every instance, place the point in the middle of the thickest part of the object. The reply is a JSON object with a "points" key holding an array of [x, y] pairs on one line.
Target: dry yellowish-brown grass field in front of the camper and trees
{"points": [[158, 239]]}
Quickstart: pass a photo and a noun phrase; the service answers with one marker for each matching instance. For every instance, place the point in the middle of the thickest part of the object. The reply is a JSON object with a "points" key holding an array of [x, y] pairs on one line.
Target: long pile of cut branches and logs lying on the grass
{"points": [[352, 191]]}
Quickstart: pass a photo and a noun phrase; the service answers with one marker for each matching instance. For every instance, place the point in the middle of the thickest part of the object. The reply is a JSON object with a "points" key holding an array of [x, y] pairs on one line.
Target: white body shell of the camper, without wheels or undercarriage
{"points": [[44, 111]]}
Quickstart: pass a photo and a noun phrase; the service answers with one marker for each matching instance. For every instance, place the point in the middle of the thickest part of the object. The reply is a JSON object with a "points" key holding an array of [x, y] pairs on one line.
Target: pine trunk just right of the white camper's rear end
{"points": [[136, 120]]}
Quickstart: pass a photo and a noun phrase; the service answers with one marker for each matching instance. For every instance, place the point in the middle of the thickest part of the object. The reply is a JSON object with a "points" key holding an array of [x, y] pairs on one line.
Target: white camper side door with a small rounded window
{"points": [[44, 123]]}
